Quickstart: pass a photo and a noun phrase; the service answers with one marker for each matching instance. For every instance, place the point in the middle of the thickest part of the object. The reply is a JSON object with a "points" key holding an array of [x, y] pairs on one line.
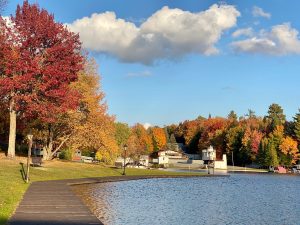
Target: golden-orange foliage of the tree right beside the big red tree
{"points": [[93, 128]]}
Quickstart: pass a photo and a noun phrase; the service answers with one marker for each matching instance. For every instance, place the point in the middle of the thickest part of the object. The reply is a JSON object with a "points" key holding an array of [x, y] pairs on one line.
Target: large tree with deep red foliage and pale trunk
{"points": [[42, 58]]}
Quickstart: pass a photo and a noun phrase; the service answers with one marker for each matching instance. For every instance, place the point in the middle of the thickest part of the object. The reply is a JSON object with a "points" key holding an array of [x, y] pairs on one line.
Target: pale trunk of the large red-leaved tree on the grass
{"points": [[12, 129]]}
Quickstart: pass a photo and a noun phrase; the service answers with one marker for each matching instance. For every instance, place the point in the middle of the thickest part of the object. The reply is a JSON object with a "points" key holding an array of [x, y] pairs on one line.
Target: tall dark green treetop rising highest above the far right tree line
{"points": [[275, 116]]}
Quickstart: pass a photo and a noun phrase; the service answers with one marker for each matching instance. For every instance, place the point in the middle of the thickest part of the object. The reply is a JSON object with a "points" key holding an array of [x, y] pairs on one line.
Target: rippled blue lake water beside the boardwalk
{"points": [[238, 199]]}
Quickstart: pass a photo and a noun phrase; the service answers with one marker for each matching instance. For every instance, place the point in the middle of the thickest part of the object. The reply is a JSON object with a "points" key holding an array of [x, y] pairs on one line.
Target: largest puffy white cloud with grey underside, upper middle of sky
{"points": [[167, 34]]}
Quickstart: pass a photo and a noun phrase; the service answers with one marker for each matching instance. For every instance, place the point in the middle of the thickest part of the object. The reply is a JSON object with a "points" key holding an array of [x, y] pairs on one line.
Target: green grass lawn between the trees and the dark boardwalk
{"points": [[12, 186]]}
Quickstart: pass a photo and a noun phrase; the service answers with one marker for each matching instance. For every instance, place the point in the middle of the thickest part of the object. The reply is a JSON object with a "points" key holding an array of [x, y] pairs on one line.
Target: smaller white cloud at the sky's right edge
{"points": [[280, 40]]}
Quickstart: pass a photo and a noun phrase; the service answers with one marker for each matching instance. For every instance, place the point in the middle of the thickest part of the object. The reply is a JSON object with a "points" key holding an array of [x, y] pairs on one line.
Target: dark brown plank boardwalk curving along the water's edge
{"points": [[54, 203]]}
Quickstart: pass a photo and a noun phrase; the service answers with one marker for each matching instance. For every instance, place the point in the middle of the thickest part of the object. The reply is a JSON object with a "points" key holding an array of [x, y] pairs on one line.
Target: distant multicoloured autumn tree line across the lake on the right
{"points": [[268, 141]]}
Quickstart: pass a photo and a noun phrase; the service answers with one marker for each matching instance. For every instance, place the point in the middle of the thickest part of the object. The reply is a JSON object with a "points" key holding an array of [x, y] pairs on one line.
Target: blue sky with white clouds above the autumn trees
{"points": [[239, 56]]}
